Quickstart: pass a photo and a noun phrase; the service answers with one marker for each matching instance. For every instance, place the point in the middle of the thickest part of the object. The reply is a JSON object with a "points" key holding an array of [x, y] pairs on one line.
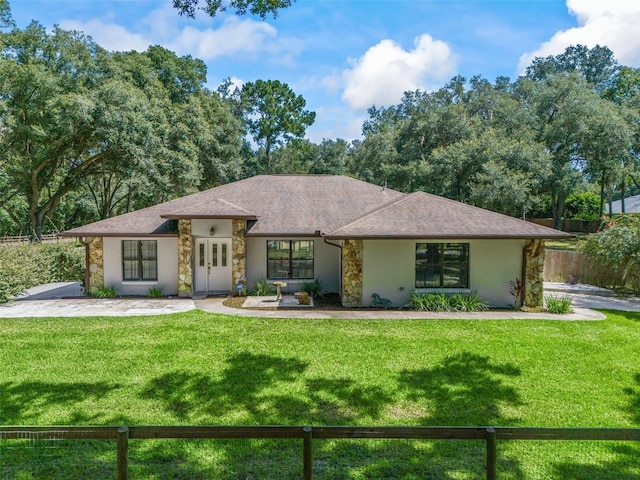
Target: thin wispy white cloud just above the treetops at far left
{"points": [[109, 36]]}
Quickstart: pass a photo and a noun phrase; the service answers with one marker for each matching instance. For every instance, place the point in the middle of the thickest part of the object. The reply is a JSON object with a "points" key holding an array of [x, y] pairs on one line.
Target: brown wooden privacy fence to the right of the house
{"points": [[559, 265]]}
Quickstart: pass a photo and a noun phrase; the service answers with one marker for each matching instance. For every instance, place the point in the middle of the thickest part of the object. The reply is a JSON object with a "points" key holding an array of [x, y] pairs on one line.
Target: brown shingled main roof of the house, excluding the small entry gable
{"points": [[331, 205]]}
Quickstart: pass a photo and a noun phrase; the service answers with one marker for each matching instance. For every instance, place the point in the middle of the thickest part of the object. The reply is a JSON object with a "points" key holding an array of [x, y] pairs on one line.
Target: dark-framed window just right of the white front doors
{"points": [[290, 259]]}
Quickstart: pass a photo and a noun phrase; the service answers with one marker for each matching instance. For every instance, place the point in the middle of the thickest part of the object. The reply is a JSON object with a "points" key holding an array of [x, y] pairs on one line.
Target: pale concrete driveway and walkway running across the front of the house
{"points": [[47, 301]]}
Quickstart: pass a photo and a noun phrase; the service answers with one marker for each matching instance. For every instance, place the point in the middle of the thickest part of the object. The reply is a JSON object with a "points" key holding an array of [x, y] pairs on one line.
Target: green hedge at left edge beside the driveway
{"points": [[25, 266]]}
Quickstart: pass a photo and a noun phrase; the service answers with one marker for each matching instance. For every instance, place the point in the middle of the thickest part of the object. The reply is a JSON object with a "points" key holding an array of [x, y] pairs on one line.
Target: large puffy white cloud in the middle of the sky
{"points": [[386, 71]]}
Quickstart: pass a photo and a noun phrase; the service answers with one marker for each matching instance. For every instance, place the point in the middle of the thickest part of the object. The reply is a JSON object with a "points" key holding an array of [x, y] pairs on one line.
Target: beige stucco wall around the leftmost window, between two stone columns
{"points": [[167, 267]]}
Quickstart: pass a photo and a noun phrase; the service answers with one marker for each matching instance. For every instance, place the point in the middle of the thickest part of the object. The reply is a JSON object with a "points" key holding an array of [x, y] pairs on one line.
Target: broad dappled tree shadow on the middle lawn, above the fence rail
{"points": [[263, 390]]}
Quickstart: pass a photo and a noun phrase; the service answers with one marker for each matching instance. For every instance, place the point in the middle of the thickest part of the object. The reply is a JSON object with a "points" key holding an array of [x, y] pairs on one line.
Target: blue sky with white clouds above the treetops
{"points": [[344, 56]]}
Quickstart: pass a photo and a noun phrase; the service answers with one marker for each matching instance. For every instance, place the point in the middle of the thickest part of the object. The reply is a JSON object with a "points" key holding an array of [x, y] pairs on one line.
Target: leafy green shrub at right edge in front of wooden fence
{"points": [[617, 246]]}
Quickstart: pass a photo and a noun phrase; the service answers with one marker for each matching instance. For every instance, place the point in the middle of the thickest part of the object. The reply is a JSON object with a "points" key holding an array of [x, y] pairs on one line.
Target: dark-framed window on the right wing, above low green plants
{"points": [[442, 265]]}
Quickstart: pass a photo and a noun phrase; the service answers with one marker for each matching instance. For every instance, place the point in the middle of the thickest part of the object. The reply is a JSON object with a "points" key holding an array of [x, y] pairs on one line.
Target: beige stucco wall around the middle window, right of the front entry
{"points": [[326, 264]]}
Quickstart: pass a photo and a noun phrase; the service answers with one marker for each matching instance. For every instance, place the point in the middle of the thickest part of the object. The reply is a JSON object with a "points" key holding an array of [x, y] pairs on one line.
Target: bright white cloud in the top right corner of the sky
{"points": [[613, 24]]}
